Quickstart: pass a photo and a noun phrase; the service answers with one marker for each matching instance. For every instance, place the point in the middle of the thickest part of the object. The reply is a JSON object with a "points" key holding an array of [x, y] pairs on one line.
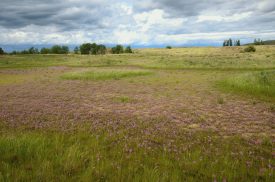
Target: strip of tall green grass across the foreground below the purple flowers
{"points": [[85, 156]]}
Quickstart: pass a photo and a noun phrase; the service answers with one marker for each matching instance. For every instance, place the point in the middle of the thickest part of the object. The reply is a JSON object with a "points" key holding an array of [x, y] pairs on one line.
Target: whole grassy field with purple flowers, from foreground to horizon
{"points": [[183, 114]]}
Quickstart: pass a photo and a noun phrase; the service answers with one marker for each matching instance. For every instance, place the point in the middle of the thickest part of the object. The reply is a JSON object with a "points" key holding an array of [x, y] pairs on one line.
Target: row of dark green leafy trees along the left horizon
{"points": [[86, 48]]}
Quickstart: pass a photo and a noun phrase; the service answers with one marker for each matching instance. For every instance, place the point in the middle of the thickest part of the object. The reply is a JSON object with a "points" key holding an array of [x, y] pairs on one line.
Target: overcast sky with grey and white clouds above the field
{"points": [[135, 22]]}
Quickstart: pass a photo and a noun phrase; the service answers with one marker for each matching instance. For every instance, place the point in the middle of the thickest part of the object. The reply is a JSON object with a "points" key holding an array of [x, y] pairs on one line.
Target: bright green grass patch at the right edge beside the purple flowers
{"points": [[259, 84]]}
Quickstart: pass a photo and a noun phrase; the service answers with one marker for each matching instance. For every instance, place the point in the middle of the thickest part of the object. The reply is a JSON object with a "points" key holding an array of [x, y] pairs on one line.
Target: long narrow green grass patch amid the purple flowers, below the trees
{"points": [[104, 74]]}
